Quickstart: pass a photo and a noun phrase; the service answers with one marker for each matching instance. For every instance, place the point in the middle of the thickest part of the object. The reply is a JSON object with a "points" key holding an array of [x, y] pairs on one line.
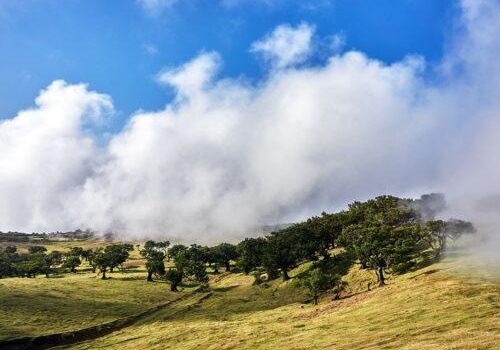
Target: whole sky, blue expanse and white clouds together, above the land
{"points": [[202, 119]]}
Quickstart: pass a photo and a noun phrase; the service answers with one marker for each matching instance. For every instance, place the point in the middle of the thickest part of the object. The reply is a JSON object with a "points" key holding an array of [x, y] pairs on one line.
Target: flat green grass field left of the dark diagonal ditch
{"points": [[66, 302]]}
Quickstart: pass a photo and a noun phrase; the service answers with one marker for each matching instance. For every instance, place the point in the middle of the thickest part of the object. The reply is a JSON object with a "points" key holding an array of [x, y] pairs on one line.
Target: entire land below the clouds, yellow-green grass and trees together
{"points": [[377, 276]]}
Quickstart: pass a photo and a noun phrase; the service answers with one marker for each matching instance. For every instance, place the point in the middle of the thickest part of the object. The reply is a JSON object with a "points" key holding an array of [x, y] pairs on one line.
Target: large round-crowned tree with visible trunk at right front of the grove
{"points": [[385, 233]]}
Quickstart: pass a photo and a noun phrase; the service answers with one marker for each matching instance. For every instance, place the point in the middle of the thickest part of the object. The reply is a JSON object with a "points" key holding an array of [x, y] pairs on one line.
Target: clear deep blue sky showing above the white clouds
{"points": [[118, 46]]}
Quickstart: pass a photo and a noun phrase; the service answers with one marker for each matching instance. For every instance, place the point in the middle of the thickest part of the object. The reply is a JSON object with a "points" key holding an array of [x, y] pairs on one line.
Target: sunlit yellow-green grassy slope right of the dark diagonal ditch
{"points": [[431, 308]]}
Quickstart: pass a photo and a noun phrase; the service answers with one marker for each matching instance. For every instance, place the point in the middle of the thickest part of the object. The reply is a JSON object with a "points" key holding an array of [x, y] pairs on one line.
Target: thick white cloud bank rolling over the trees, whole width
{"points": [[226, 156]]}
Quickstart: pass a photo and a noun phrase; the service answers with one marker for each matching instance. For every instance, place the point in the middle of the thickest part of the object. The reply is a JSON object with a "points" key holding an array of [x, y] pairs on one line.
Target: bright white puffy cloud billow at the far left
{"points": [[46, 154]]}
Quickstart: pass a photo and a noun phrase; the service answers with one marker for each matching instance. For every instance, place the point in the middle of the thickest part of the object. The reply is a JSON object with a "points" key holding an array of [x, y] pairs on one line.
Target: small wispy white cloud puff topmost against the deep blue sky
{"points": [[286, 45]]}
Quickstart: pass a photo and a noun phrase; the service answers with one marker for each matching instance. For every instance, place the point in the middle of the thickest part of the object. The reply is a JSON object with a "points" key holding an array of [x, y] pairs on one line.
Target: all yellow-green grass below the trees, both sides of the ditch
{"points": [[435, 307]]}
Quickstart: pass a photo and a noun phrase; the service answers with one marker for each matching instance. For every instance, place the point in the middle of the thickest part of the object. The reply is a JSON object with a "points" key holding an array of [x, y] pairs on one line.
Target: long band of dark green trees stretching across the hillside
{"points": [[386, 234]]}
